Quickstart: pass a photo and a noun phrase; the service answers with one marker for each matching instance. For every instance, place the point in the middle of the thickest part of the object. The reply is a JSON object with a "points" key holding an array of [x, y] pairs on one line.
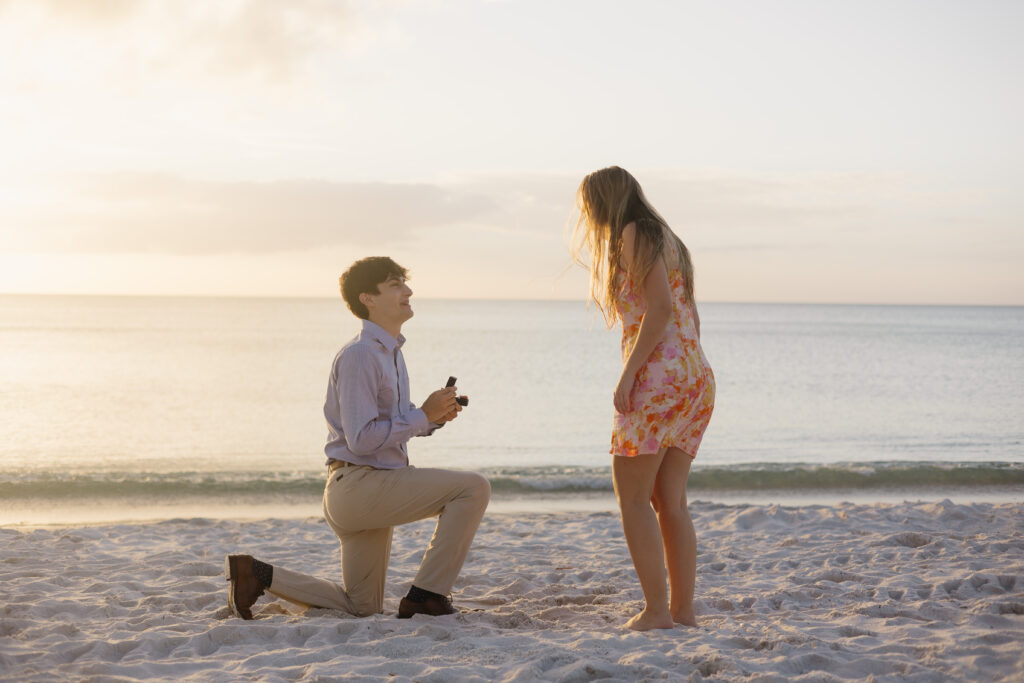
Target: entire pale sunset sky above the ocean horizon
{"points": [[805, 151]]}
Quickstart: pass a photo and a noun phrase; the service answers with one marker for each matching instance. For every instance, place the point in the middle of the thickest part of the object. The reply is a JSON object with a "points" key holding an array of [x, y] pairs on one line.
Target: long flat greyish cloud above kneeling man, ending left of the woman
{"points": [[157, 214]]}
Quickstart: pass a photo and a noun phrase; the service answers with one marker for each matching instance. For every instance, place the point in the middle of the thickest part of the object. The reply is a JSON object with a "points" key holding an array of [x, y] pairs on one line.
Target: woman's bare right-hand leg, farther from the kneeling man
{"points": [[678, 536]]}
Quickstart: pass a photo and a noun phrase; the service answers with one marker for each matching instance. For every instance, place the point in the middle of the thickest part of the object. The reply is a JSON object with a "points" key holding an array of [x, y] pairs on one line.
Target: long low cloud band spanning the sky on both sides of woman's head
{"points": [[524, 214]]}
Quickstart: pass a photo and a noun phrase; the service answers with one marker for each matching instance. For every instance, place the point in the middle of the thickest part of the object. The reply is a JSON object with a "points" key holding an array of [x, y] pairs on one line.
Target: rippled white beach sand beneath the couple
{"points": [[909, 592]]}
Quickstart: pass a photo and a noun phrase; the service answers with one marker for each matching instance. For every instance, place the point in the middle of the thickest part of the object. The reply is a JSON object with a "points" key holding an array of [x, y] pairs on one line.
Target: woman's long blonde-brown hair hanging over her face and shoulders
{"points": [[609, 201]]}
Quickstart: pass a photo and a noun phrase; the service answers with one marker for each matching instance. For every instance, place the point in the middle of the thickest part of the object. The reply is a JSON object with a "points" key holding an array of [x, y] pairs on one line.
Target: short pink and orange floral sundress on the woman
{"points": [[674, 394]]}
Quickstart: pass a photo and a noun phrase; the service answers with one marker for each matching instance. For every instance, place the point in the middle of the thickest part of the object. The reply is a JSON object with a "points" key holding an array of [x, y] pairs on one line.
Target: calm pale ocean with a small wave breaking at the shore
{"points": [[149, 408]]}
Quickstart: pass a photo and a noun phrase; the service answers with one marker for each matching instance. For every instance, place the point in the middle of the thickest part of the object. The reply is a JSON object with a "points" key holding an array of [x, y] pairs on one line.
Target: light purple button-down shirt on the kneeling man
{"points": [[370, 416]]}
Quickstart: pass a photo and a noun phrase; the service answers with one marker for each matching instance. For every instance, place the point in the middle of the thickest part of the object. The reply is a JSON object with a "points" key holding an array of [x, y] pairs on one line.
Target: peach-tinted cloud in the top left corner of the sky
{"points": [[269, 40]]}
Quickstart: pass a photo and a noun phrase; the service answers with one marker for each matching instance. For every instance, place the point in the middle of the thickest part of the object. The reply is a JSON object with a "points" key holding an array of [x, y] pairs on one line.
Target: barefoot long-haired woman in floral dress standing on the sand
{"points": [[642, 275]]}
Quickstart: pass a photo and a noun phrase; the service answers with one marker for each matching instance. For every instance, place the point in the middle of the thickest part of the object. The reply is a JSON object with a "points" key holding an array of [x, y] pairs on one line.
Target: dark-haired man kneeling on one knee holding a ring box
{"points": [[371, 487]]}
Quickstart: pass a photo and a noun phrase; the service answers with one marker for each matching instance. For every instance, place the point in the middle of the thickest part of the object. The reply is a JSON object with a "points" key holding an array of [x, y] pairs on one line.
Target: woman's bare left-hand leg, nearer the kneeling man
{"points": [[634, 481]]}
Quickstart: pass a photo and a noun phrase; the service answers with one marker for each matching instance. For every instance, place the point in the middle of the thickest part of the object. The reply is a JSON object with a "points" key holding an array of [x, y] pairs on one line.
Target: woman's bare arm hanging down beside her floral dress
{"points": [[658, 295]]}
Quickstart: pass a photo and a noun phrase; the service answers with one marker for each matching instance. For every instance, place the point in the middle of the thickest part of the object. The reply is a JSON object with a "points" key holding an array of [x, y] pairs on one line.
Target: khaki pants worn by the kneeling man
{"points": [[362, 504]]}
